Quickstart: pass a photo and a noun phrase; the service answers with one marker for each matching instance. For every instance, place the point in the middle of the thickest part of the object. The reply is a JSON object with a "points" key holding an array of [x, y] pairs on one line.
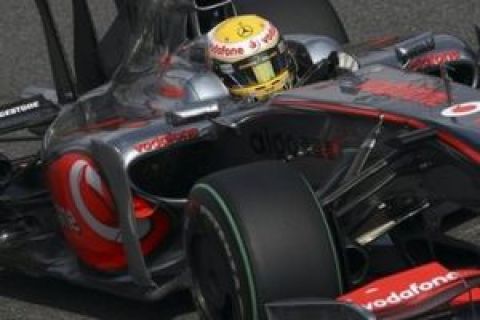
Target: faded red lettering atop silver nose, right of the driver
{"points": [[427, 96]]}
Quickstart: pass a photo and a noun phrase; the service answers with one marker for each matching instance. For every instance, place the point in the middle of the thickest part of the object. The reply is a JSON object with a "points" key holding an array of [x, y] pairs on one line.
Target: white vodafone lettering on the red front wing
{"points": [[411, 292]]}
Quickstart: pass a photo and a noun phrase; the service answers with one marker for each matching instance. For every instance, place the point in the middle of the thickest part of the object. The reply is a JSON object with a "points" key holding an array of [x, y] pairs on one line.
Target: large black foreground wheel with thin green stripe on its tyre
{"points": [[254, 235]]}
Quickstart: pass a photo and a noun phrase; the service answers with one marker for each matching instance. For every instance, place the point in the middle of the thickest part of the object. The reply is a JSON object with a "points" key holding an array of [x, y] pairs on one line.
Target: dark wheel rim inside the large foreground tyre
{"points": [[215, 280]]}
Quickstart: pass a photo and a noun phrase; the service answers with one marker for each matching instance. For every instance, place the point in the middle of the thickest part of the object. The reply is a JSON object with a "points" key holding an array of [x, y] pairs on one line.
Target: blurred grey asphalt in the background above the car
{"points": [[23, 57]]}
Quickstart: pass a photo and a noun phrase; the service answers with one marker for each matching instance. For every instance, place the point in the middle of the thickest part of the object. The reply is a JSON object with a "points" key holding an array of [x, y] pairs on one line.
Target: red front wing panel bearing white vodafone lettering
{"points": [[412, 290]]}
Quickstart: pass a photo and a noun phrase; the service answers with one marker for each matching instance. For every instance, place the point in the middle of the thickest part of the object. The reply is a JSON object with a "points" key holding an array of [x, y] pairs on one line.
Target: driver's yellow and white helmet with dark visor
{"points": [[250, 56]]}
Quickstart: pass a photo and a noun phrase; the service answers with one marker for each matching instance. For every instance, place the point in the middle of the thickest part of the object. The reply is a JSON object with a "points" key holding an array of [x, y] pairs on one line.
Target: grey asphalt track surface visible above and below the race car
{"points": [[23, 62]]}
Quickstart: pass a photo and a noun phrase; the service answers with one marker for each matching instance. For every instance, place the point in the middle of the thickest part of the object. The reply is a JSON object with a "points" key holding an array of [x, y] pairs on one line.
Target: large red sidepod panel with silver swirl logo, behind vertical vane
{"points": [[88, 214]]}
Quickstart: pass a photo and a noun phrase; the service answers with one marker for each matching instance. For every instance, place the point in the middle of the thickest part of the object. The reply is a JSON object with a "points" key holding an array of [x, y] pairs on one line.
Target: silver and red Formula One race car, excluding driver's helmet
{"points": [[350, 198]]}
